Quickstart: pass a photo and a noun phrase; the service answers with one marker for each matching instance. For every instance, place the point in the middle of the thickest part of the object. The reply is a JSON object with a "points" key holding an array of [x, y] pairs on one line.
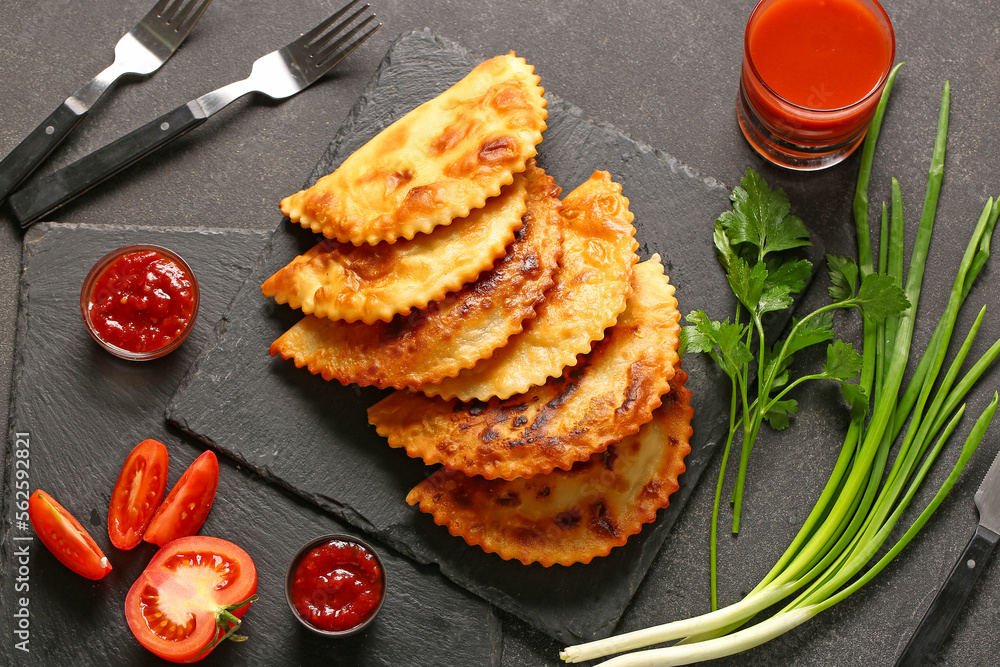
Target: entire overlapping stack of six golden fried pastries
{"points": [[534, 358]]}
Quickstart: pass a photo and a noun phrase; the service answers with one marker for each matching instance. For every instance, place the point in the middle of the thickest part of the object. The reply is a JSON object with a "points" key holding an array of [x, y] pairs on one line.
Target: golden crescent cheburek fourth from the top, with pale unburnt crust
{"points": [[592, 284]]}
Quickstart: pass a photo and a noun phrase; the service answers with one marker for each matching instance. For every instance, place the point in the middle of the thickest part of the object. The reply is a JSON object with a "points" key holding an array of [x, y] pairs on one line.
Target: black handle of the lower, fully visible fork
{"points": [[45, 195]]}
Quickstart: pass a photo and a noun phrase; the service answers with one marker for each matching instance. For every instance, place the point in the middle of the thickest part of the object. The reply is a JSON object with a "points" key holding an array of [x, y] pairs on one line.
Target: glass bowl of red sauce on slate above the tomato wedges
{"points": [[140, 302]]}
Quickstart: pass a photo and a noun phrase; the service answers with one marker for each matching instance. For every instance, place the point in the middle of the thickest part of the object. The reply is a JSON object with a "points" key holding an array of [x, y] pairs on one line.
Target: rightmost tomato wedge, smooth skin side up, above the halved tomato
{"points": [[188, 503]]}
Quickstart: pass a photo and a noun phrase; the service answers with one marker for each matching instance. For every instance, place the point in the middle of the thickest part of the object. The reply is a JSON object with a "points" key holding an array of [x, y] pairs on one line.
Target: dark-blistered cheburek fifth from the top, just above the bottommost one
{"points": [[608, 395]]}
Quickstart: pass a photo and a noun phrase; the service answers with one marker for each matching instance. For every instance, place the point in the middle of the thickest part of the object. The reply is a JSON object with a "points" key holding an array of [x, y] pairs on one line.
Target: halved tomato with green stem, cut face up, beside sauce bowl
{"points": [[190, 597]]}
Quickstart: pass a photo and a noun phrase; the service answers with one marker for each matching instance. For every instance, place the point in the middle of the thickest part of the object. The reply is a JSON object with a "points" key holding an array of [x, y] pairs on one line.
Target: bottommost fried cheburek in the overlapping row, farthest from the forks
{"points": [[569, 516]]}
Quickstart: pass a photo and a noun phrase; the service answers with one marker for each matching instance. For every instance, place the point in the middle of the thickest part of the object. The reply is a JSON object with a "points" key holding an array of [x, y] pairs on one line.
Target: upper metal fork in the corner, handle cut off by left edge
{"points": [[142, 51]]}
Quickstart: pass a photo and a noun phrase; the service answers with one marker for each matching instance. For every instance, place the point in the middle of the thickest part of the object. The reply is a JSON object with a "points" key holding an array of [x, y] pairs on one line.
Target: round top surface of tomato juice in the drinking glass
{"points": [[820, 54]]}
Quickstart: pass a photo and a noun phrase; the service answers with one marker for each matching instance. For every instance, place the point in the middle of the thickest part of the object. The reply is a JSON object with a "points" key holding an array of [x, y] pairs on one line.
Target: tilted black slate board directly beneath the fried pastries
{"points": [[312, 436]]}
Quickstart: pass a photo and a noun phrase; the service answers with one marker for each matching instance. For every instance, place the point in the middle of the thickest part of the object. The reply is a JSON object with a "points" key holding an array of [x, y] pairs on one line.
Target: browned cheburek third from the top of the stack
{"points": [[447, 335]]}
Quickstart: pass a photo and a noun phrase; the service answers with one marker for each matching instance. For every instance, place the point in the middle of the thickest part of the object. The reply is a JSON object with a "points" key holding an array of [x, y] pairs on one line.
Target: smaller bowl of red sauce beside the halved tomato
{"points": [[335, 585]]}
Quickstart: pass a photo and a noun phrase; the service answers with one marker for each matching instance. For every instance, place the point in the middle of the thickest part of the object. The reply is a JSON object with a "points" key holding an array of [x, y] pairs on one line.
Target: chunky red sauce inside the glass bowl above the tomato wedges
{"points": [[142, 301]]}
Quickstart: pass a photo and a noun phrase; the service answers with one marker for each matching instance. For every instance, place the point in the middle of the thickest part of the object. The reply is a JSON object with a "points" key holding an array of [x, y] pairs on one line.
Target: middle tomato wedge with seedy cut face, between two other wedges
{"points": [[137, 493]]}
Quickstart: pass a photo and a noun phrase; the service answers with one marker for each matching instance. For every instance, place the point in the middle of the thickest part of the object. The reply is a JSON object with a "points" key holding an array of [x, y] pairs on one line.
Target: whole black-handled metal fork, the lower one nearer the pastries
{"points": [[278, 75]]}
